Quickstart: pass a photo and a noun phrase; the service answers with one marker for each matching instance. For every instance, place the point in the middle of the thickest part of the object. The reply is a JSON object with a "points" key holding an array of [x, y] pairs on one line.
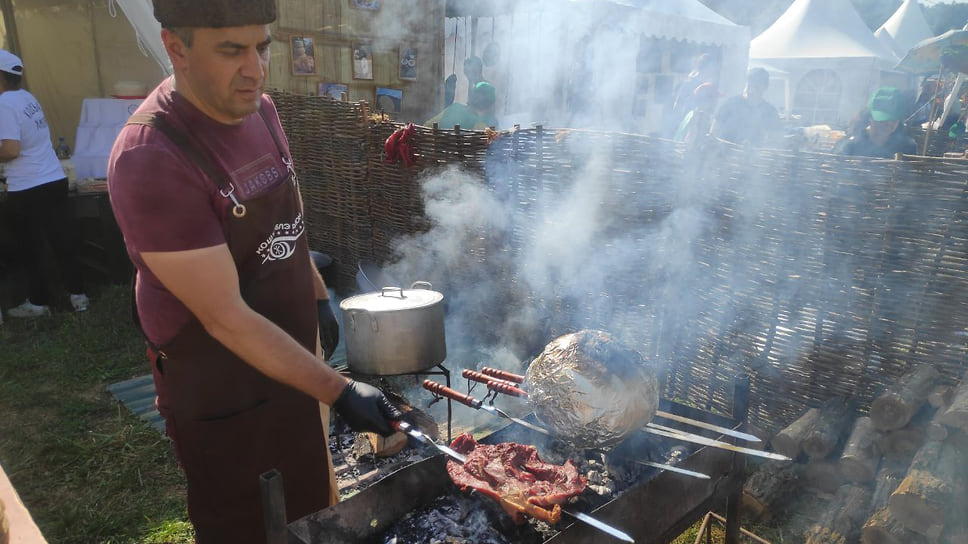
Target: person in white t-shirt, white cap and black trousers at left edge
{"points": [[36, 193]]}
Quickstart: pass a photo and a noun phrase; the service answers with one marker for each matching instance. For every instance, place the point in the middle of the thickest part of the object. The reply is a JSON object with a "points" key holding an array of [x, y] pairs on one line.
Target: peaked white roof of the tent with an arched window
{"points": [[819, 29]]}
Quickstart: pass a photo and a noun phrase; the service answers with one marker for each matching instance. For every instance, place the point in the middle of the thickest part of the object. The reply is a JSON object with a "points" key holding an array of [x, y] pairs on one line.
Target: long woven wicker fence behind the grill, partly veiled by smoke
{"points": [[815, 274]]}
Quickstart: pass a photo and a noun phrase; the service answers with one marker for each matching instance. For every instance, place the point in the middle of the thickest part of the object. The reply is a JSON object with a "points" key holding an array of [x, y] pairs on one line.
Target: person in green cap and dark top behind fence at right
{"points": [[885, 135]]}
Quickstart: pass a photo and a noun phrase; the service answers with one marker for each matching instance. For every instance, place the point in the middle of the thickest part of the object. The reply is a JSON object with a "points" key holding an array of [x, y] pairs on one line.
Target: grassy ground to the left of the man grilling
{"points": [[88, 470]]}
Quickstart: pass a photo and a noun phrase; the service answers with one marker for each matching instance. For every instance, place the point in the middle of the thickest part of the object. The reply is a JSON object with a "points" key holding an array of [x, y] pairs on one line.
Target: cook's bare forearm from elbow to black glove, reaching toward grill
{"points": [[270, 350]]}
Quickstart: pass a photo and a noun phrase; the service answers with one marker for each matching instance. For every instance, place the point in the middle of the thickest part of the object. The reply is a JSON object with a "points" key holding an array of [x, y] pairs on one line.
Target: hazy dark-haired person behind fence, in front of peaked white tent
{"points": [[748, 118]]}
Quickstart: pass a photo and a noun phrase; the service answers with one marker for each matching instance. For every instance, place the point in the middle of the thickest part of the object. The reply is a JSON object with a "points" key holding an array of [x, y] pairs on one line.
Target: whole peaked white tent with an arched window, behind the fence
{"points": [[833, 59]]}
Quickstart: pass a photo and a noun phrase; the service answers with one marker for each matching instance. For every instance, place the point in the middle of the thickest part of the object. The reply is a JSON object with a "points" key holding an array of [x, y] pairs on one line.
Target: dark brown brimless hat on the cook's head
{"points": [[214, 13]]}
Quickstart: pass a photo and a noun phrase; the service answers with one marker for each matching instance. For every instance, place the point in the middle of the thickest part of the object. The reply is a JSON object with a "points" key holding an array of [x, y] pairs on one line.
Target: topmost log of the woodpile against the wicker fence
{"points": [[895, 407]]}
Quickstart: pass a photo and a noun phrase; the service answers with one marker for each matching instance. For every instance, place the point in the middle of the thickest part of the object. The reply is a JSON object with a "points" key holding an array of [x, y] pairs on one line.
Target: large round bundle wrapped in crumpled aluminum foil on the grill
{"points": [[592, 390]]}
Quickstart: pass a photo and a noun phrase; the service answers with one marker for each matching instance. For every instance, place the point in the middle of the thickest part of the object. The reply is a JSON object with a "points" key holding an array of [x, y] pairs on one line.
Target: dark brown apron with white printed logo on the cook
{"points": [[229, 422]]}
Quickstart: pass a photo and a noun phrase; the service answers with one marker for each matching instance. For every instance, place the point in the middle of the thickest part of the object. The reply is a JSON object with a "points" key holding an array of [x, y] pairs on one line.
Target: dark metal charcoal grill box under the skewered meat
{"points": [[655, 508]]}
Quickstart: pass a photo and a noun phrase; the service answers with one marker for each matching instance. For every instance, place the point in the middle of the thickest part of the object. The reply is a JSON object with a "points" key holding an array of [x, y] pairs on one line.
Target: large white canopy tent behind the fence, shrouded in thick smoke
{"points": [[598, 46]]}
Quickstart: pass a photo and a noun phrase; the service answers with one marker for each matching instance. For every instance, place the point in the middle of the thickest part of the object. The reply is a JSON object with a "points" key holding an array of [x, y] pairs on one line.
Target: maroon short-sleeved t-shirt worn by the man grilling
{"points": [[164, 202]]}
